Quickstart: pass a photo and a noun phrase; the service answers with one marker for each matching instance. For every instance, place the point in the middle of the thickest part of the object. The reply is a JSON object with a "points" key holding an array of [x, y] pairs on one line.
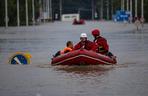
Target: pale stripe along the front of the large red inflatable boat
{"points": [[84, 56]]}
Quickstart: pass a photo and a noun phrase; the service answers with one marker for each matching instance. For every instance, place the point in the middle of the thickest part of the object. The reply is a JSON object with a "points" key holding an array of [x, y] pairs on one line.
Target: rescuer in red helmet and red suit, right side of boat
{"points": [[101, 42]]}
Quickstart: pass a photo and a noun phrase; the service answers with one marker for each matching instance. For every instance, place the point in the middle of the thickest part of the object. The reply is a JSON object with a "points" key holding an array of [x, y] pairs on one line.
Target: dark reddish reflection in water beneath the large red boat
{"points": [[83, 72]]}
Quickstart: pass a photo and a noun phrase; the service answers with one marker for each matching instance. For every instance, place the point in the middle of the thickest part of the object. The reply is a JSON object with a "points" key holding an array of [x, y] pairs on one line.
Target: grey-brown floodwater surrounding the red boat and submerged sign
{"points": [[128, 78]]}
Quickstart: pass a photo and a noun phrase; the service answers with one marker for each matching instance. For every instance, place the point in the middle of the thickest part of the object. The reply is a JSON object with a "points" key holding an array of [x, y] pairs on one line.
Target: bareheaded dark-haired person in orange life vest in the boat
{"points": [[68, 48]]}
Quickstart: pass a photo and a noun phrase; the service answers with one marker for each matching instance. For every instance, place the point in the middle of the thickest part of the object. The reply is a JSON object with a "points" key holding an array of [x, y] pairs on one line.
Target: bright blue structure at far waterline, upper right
{"points": [[121, 16]]}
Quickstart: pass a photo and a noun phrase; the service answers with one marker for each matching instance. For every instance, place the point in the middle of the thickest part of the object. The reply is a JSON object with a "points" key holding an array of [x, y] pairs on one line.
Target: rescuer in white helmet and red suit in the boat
{"points": [[84, 43]]}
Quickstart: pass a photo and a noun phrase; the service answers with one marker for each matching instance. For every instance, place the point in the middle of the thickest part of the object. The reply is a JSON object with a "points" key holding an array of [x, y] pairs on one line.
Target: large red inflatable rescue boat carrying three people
{"points": [[82, 57]]}
